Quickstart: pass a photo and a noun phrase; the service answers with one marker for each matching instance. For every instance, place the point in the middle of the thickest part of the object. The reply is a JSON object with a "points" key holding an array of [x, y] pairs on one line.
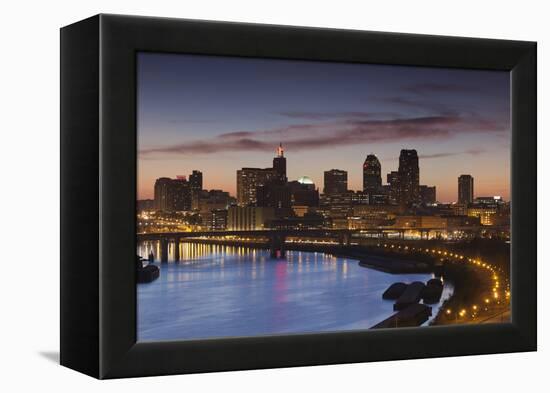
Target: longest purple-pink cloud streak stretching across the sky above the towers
{"points": [[337, 133]]}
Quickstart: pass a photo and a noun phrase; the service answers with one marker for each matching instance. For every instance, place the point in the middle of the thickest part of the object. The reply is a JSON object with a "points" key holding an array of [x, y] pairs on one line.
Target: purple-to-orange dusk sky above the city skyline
{"points": [[219, 114]]}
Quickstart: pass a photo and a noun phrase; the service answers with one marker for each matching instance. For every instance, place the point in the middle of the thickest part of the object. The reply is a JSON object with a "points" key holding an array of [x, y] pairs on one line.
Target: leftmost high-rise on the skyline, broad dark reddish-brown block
{"points": [[172, 194]]}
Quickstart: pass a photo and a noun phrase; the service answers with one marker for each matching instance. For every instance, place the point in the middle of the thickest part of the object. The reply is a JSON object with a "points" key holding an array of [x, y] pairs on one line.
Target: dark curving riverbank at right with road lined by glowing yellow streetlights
{"points": [[478, 294]]}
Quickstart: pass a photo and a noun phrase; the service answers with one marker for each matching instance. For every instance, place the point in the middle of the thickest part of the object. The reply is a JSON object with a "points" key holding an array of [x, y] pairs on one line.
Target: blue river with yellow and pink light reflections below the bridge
{"points": [[224, 291]]}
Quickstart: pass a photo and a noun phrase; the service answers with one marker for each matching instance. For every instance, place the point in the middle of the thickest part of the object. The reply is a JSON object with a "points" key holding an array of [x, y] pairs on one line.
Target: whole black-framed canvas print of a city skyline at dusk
{"points": [[239, 196]]}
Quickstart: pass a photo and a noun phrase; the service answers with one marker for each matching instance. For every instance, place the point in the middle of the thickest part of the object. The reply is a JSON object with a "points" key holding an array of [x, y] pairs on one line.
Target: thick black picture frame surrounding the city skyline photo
{"points": [[98, 189]]}
